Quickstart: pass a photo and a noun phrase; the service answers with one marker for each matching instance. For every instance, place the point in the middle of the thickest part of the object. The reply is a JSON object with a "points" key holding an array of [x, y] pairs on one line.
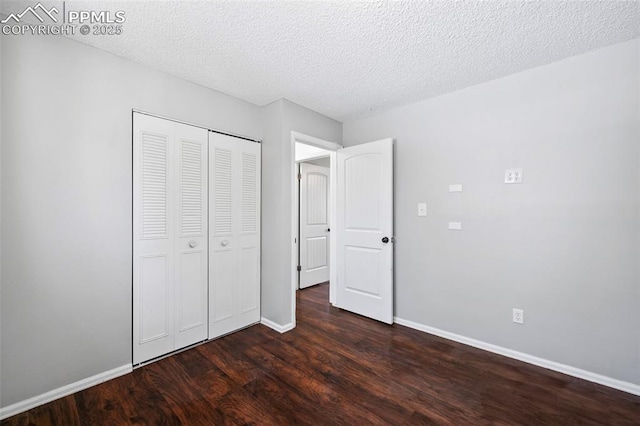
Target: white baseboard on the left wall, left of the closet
{"points": [[63, 391]]}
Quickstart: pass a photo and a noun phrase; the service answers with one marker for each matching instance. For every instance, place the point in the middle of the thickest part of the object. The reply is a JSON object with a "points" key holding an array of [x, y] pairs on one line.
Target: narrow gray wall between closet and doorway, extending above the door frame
{"points": [[280, 119]]}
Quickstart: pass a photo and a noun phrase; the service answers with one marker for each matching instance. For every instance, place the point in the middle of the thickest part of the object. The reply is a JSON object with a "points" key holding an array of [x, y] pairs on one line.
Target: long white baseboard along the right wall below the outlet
{"points": [[530, 359]]}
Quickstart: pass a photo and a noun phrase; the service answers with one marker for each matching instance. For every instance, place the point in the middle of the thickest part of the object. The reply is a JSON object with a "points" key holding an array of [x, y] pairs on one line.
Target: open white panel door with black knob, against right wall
{"points": [[364, 230]]}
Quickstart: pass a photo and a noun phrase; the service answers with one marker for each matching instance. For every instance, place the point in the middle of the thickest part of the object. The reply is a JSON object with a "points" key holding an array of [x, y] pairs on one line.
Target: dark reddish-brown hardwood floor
{"points": [[338, 368]]}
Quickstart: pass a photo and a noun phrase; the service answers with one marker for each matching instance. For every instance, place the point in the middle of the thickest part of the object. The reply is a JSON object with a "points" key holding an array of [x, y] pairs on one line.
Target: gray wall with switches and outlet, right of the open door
{"points": [[564, 246]]}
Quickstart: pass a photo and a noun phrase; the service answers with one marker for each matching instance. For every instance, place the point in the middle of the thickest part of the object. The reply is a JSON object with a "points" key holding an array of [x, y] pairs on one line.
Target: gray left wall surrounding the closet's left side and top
{"points": [[66, 203]]}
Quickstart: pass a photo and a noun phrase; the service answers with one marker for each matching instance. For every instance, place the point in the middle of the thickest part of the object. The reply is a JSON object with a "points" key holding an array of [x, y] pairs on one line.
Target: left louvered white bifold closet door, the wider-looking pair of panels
{"points": [[169, 236]]}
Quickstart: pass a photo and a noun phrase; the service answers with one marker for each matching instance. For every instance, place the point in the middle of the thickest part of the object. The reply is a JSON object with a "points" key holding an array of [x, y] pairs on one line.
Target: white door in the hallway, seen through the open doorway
{"points": [[314, 224]]}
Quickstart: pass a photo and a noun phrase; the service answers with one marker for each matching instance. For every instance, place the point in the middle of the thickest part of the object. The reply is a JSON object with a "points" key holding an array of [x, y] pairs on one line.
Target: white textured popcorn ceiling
{"points": [[346, 59]]}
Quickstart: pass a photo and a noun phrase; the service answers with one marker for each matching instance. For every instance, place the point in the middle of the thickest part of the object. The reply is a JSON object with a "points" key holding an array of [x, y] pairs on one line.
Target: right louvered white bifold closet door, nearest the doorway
{"points": [[234, 234]]}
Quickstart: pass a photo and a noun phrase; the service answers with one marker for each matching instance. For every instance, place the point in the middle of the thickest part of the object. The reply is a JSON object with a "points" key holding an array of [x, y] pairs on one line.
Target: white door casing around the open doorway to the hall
{"points": [[320, 143]]}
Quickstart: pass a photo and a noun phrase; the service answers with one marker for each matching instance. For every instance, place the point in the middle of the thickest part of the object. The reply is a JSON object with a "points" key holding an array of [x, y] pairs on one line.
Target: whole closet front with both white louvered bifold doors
{"points": [[196, 235]]}
